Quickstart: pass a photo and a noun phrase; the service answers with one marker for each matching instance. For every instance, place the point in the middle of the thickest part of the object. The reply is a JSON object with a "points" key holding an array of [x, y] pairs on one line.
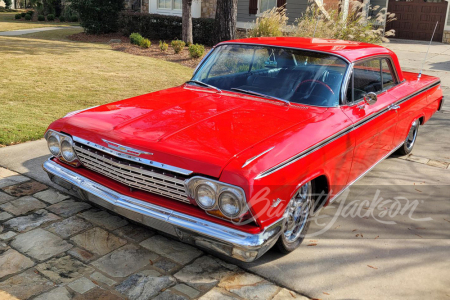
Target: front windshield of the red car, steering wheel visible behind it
{"points": [[294, 75]]}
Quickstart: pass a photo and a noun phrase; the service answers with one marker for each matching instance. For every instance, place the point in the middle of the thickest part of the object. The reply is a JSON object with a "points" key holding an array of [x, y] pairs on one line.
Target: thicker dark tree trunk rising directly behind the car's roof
{"points": [[226, 15]]}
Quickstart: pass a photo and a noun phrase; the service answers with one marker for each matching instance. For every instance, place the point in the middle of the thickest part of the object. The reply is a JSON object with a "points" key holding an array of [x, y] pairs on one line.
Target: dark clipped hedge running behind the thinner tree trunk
{"points": [[160, 27]]}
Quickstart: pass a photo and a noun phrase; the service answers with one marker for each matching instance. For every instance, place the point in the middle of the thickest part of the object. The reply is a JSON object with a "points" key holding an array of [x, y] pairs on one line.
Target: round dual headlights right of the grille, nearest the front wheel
{"points": [[212, 195]]}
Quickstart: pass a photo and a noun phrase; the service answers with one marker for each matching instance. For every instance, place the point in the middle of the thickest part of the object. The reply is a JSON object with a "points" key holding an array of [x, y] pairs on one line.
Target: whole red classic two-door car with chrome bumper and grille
{"points": [[233, 159]]}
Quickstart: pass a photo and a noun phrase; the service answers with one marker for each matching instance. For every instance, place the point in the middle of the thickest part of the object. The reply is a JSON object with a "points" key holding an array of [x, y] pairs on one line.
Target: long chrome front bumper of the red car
{"points": [[224, 240]]}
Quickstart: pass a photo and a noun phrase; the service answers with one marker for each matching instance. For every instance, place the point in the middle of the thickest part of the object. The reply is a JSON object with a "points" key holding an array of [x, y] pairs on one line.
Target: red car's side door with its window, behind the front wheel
{"points": [[375, 124]]}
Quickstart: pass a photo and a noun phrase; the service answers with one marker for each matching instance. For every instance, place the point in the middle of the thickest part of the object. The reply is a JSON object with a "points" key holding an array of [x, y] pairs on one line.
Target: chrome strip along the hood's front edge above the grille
{"points": [[133, 158]]}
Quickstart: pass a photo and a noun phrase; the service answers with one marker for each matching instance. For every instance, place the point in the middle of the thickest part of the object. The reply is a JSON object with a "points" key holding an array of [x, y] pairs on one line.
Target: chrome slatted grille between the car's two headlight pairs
{"points": [[132, 174]]}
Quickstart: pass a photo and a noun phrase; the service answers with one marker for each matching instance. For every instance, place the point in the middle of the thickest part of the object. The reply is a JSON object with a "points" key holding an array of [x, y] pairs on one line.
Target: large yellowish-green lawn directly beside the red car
{"points": [[43, 79]]}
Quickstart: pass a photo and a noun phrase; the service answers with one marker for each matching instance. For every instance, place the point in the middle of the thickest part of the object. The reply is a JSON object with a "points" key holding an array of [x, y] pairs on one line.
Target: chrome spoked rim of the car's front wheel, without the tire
{"points": [[297, 213]]}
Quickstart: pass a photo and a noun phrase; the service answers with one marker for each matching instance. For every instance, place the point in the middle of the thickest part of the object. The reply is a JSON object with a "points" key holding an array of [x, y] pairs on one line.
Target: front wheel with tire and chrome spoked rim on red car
{"points": [[297, 219]]}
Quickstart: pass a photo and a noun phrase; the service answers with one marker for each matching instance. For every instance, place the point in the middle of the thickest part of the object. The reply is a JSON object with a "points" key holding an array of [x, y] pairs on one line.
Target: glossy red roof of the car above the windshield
{"points": [[350, 50]]}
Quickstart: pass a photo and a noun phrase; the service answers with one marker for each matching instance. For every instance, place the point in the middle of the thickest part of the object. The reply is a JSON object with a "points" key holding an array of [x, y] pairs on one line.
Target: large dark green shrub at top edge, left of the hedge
{"points": [[98, 16]]}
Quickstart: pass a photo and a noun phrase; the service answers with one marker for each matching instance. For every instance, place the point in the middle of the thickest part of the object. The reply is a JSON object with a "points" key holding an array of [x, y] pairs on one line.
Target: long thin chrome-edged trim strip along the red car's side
{"points": [[339, 134]]}
